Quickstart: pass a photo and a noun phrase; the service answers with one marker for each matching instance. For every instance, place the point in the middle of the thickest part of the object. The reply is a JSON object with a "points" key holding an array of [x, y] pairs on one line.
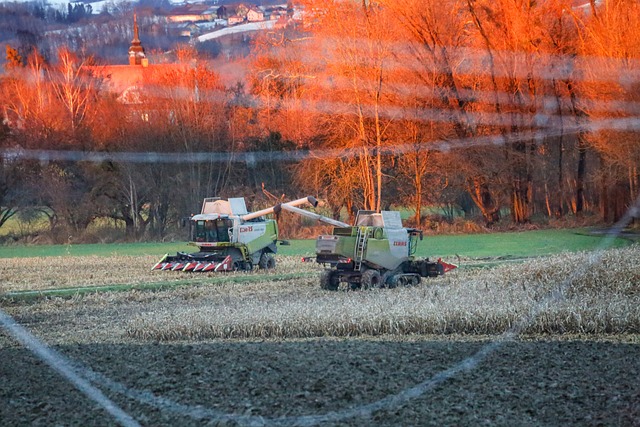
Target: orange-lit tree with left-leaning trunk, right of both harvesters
{"points": [[441, 58]]}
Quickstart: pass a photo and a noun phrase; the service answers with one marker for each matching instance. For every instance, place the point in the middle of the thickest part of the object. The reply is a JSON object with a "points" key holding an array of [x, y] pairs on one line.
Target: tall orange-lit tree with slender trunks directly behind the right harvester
{"points": [[356, 54]]}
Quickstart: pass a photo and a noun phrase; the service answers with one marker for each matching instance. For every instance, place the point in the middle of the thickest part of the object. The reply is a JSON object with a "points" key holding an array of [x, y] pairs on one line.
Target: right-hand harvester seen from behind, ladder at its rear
{"points": [[375, 252]]}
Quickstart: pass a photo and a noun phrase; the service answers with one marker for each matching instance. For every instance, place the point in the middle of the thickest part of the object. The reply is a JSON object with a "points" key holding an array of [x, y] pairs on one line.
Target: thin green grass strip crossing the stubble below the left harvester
{"points": [[29, 296]]}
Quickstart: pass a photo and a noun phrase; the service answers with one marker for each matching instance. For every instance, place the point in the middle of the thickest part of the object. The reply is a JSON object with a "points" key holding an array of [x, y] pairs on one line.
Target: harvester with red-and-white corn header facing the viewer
{"points": [[229, 238]]}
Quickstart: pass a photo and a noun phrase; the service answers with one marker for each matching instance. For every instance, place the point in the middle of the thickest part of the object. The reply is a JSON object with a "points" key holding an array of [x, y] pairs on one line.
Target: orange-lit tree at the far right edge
{"points": [[610, 39]]}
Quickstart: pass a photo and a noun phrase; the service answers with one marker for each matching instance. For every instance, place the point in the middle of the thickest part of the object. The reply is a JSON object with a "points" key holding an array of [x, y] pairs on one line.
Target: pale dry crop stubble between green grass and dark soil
{"points": [[601, 297]]}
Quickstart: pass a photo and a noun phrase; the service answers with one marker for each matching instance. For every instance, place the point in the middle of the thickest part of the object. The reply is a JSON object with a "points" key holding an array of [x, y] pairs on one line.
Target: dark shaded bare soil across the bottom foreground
{"points": [[522, 383]]}
